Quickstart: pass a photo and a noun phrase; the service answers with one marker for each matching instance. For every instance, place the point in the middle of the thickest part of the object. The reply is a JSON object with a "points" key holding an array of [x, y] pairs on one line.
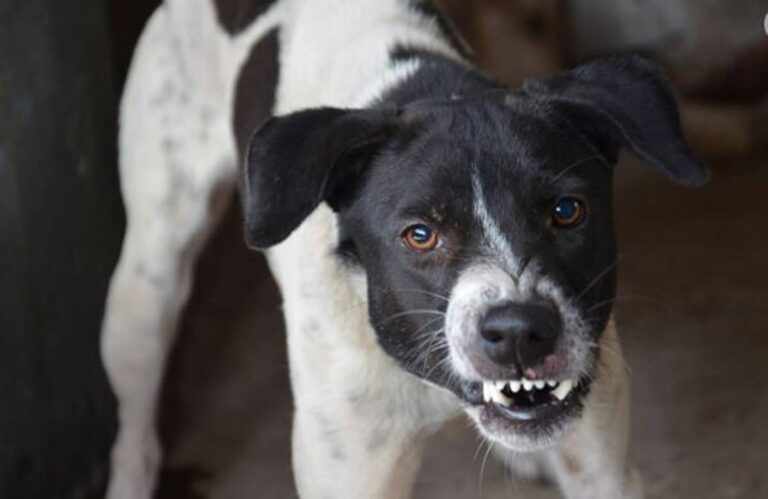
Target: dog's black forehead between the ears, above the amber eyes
{"points": [[509, 147]]}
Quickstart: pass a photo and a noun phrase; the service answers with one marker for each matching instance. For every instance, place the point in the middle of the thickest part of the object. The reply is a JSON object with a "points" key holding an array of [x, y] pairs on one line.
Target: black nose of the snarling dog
{"points": [[520, 334]]}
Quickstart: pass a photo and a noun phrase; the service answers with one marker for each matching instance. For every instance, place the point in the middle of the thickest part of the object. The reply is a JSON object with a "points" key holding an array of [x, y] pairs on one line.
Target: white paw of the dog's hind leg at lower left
{"points": [[136, 459]]}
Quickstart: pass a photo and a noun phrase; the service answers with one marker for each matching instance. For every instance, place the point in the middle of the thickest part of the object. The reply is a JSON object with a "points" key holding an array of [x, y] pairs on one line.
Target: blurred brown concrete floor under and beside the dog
{"points": [[693, 314]]}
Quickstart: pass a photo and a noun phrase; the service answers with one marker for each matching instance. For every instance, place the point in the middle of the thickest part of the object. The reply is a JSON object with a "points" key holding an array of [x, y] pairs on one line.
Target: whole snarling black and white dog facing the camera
{"points": [[442, 243]]}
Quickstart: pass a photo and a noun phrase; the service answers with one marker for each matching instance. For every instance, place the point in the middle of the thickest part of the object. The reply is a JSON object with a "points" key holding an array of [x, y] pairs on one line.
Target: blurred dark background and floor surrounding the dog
{"points": [[693, 297]]}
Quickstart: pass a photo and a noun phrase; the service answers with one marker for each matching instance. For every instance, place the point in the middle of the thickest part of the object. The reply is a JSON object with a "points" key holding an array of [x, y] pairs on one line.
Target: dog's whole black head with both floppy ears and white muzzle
{"points": [[483, 225]]}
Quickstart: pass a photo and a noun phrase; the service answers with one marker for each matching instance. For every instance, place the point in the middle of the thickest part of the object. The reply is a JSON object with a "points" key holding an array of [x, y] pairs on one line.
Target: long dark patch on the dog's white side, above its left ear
{"points": [[255, 91]]}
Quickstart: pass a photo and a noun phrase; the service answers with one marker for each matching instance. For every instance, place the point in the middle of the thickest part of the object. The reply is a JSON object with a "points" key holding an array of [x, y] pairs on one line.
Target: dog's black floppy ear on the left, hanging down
{"points": [[295, 162]]}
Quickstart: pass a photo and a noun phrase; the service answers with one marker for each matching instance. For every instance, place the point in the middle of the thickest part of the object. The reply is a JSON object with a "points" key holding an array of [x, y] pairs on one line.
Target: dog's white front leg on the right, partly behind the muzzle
{"points": [[592, 462]]}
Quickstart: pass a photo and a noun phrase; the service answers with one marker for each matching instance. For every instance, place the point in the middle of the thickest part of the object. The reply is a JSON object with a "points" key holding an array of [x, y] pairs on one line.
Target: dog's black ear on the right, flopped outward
{"points": [[625, 101]]}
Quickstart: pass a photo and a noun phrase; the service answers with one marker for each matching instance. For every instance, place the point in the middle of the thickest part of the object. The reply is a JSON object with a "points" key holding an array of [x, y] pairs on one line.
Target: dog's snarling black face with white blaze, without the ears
{"points": [[486, 237]]}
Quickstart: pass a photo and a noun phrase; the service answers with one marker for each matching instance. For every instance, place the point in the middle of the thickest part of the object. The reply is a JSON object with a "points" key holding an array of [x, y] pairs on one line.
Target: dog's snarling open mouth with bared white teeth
{"points": [[525, 407]]}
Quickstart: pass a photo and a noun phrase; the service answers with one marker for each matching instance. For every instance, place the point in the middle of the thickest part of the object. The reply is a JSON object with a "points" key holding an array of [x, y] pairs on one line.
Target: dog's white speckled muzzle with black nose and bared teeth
{"points": [[522, 356]]}
